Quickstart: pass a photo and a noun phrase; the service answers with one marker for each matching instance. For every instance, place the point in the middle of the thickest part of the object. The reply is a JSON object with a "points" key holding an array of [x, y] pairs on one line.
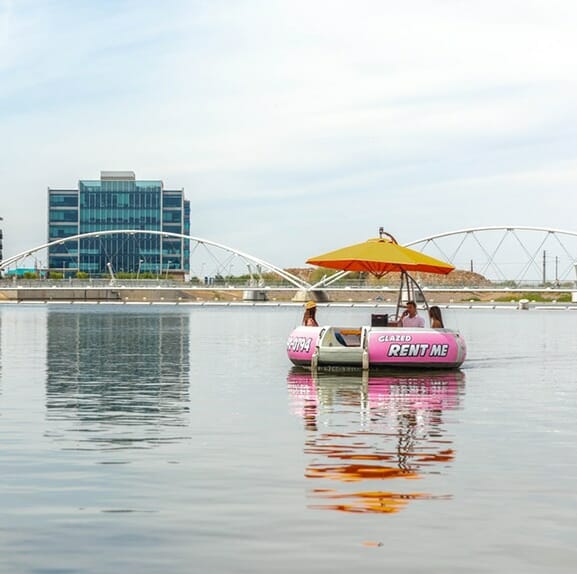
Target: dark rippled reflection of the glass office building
{"points": [[120, 378]]}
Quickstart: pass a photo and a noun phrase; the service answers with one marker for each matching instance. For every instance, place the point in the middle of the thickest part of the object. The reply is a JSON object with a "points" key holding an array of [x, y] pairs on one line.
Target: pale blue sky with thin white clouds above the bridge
{"points": [[295, 126]]}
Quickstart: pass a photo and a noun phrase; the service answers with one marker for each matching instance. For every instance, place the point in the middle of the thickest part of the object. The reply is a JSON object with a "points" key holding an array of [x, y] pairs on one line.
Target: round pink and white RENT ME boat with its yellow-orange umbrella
{"points": [[378, 345]]}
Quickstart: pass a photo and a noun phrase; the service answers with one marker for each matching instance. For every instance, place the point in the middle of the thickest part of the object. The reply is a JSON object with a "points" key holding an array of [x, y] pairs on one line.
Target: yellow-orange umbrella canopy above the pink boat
{"points": [[379, 256]]}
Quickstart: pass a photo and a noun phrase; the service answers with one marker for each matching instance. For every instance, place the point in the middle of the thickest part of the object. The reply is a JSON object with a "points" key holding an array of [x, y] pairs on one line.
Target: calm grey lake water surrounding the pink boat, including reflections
{"points": [[153, 438]]}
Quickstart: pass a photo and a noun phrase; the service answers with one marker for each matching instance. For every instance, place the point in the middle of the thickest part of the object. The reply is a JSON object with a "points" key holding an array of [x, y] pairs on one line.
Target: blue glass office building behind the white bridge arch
{"points": [[118, 201]]}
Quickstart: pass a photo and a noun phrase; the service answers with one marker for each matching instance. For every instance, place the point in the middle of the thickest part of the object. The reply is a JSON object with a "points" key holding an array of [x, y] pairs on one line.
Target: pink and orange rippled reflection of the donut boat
{"points": [[374, 431]]}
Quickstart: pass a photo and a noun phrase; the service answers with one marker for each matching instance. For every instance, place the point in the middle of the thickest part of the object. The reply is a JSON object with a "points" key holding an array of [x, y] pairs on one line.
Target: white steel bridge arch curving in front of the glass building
{"points": [[293, 279]]}
